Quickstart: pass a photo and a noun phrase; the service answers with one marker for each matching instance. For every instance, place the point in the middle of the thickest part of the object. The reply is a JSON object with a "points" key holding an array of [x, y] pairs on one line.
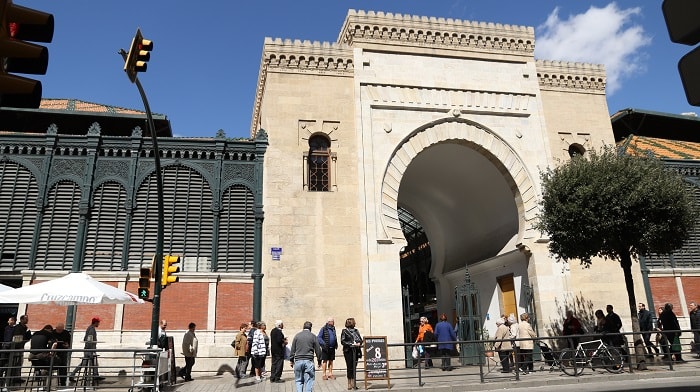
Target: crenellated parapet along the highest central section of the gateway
{"points": [[431, 32]]}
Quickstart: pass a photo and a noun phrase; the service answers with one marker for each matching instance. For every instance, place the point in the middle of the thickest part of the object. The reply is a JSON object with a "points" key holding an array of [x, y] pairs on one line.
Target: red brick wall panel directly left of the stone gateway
{"points": [[234, 305]]}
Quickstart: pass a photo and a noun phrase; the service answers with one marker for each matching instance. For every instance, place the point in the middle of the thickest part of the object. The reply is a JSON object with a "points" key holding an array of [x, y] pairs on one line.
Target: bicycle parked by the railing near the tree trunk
{"points": [[573, 361]]}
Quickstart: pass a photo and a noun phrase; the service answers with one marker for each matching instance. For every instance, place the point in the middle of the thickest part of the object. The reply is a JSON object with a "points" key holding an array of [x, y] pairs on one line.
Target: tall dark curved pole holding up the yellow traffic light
{"points": [[158, 263]]}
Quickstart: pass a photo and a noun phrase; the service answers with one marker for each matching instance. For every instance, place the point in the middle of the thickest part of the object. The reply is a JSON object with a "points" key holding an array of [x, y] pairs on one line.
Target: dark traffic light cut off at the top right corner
{"points": [[683, 24]]}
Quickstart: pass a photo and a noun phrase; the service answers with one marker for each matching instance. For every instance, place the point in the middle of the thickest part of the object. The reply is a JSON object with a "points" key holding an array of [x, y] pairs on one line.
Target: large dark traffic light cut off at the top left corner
{"points": [[19, 24]]}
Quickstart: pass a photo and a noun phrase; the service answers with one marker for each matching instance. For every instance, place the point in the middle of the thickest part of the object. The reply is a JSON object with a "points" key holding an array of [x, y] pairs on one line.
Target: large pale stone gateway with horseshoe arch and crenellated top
{"points": [[405, 159]]}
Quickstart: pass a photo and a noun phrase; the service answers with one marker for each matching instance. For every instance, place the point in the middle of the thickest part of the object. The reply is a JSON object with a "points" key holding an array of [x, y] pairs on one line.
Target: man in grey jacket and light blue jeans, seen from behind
{"points": [[304, 346]]}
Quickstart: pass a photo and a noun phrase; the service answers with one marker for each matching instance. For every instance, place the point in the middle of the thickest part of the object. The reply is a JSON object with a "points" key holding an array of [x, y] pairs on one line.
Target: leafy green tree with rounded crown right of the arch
{"points": [[615, 206]]}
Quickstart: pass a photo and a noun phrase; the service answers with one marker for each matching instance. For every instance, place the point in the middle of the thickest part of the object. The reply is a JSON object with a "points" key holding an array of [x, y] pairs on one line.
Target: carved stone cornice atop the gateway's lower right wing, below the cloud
{"points": [[565, 76]]}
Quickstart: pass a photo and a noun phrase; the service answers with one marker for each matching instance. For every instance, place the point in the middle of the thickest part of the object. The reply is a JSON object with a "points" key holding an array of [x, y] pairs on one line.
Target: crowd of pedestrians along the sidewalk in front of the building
{"points": [[252, 345]]}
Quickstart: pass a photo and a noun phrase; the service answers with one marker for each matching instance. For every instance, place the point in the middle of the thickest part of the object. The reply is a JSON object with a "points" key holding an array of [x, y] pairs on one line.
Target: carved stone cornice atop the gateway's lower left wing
{"points": [[296, 56]]}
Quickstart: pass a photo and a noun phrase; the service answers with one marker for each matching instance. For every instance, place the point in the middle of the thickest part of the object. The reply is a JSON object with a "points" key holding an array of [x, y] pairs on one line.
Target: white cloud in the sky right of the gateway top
{"points": [[599, 36]]}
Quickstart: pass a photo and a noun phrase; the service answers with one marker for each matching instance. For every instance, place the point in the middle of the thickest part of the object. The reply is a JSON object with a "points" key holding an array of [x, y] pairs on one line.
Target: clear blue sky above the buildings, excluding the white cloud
{"points": [[204, 67]]}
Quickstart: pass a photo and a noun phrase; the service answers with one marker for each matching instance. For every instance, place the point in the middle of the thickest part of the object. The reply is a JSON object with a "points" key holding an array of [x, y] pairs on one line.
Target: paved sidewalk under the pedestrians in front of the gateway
{"points": [[461, 379]]}
